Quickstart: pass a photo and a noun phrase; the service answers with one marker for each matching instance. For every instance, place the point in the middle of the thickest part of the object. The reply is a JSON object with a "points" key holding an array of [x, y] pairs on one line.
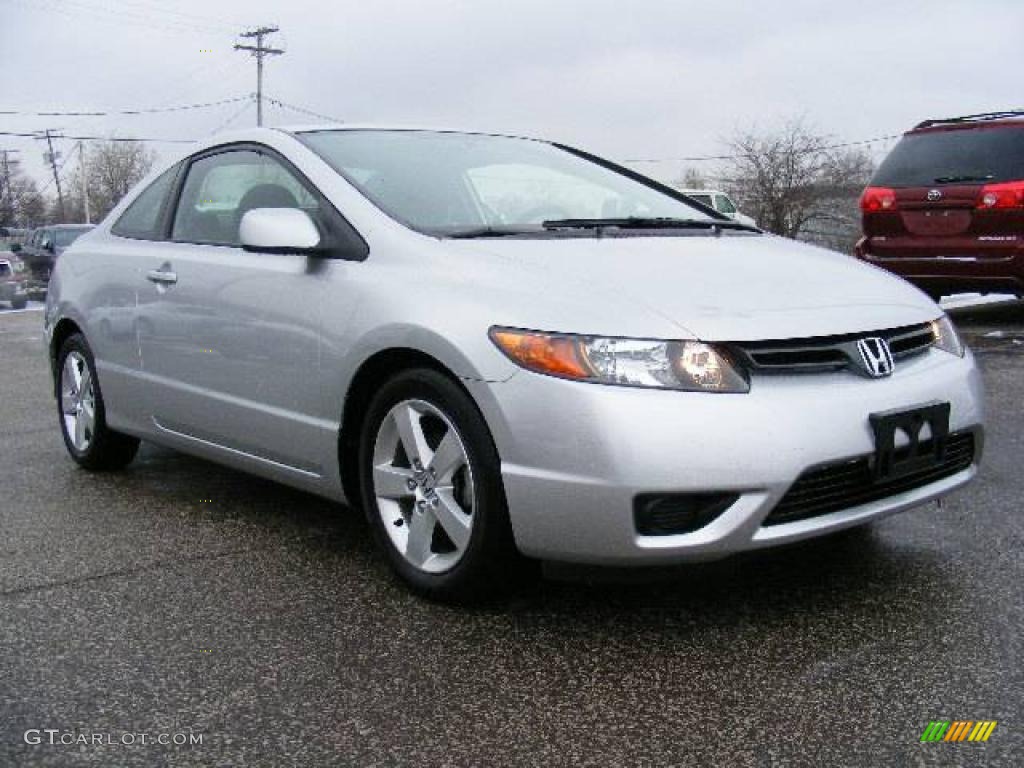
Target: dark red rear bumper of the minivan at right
{"points": [[941, 275]]}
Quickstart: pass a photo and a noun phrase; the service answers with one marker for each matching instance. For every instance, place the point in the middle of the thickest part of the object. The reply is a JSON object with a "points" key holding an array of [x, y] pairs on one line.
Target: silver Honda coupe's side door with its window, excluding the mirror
{"points": [[230, 339]]}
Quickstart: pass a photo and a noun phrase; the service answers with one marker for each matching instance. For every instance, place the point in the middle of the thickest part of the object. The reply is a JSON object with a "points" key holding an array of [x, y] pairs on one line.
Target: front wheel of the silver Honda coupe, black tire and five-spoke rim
{"points": [[431, 481]]}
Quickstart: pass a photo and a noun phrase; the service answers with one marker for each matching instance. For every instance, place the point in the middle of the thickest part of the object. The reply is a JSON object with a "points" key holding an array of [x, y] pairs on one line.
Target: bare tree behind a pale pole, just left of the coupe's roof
{"points": [[113, 168]]}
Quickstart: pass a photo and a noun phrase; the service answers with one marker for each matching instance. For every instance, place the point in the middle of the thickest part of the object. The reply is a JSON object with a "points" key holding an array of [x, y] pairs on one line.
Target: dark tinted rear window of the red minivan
{"points": [[962, 155]]}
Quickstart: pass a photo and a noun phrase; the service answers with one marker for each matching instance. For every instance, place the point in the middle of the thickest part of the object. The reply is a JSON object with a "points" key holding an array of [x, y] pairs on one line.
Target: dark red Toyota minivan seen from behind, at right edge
{"points": [[946, 209]]}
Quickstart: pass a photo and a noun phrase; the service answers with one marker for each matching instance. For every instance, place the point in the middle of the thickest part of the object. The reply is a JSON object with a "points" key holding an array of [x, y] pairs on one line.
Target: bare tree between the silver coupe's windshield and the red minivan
{"points": [[797, 184]]}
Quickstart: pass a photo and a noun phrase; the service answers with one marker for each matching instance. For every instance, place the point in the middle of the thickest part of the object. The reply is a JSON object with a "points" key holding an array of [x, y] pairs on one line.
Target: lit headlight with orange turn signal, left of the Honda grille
{"points": [[691, 366]]}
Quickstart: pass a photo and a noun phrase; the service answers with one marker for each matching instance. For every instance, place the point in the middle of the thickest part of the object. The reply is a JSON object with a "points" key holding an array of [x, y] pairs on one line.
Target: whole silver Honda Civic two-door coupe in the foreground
{"points": [[504, 351]]}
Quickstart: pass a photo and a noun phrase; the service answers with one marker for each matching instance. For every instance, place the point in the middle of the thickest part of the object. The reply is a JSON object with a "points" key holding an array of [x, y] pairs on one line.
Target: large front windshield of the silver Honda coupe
{"points": [[444, 184]]}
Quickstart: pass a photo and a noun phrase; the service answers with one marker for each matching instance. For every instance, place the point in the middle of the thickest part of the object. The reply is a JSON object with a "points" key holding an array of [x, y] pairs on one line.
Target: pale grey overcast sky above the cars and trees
{"points": [[631, 80]]}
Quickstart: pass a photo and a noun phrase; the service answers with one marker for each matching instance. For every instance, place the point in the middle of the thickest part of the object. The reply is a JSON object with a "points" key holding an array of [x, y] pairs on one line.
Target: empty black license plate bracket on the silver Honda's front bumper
{"points": [[891, 462]]}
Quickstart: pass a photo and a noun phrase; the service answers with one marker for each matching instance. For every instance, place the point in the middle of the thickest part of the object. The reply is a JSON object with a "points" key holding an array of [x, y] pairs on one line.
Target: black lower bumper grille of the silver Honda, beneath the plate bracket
{"points": [[833, 488]]}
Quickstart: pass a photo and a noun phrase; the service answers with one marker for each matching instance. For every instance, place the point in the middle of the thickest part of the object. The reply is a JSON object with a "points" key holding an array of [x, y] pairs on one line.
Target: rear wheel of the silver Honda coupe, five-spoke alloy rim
{"points": [[82, 413]]}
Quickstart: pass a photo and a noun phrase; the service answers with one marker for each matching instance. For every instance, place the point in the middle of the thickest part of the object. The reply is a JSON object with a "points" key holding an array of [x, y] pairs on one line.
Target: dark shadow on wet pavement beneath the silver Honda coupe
{"points": [[852, 577]]}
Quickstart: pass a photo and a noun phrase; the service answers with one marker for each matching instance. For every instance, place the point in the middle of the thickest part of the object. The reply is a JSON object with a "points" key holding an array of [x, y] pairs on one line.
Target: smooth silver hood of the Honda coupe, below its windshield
{"points": [[729, 288]]}
